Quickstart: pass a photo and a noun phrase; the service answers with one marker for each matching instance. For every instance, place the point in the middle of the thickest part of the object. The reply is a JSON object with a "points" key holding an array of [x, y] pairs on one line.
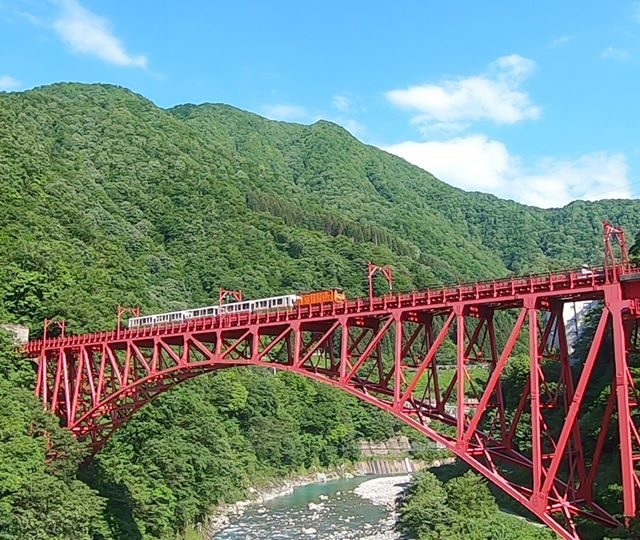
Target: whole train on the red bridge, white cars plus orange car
{"points": [[287, 301]]}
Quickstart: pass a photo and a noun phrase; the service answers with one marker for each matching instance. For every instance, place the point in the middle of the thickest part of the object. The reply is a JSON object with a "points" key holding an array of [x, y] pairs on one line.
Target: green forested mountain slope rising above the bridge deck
{"points": [[109, 199]]}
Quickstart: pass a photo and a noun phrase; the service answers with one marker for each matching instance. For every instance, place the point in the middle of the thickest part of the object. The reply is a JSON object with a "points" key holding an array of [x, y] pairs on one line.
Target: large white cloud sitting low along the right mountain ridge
{"points": [[482, 164]]}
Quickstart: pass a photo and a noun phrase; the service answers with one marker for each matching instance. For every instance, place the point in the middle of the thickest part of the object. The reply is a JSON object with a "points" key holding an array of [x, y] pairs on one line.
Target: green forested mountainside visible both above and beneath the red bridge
{"points": [[108, 199]]}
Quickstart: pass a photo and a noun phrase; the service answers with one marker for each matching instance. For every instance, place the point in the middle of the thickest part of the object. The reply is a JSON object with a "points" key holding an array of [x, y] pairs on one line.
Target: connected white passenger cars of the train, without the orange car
{"points": [[287, 301]]}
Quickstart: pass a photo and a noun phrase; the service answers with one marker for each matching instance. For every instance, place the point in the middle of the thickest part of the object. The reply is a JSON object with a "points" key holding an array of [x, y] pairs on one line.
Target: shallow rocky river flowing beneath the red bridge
{"points": [[354, 509]]}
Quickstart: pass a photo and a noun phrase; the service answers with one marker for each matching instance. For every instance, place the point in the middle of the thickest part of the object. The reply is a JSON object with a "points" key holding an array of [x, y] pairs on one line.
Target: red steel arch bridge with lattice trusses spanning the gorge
{"points": [[387, 351]]}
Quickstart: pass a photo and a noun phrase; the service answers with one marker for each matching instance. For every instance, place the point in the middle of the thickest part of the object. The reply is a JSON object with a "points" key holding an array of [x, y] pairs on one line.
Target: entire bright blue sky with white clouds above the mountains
{"points": [[533, 101]]}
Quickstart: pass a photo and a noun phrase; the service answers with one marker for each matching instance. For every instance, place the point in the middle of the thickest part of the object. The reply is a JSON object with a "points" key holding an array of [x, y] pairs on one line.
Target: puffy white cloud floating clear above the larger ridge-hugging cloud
{"points": [[494, 95]]}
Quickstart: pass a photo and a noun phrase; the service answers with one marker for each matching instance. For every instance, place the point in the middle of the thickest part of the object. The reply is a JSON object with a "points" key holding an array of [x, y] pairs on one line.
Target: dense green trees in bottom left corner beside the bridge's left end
{"points": [[40, 497]]}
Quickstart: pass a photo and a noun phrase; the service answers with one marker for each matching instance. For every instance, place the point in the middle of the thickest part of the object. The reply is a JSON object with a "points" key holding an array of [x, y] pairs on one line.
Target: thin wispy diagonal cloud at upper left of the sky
{"points": [[87, 33]]}
